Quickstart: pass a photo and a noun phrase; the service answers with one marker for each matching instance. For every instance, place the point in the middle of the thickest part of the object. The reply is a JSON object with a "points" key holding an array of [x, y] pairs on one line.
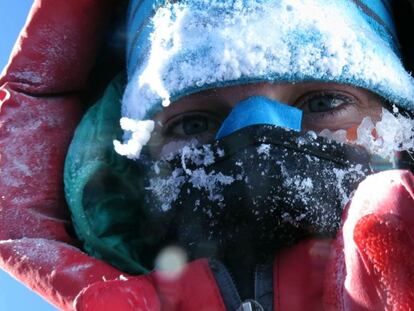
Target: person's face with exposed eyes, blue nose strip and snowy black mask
{"points": [[264, 182]]}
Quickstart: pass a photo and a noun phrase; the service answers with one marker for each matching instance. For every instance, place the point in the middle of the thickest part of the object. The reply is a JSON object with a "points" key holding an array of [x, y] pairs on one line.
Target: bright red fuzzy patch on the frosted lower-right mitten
{"points": [[387, 250]]}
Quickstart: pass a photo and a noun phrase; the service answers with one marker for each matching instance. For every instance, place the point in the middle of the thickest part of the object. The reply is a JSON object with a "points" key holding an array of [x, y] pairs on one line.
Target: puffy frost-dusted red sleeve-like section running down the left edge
{"points": [[40, 106]]}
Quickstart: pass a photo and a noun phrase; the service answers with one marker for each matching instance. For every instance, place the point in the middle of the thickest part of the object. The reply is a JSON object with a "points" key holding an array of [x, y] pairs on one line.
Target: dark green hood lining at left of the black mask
{"points": [[104, 190]]}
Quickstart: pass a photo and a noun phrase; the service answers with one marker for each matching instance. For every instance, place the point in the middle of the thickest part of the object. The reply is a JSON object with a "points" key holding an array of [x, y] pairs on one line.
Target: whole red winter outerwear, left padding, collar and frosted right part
{"points": [[371, 266]]}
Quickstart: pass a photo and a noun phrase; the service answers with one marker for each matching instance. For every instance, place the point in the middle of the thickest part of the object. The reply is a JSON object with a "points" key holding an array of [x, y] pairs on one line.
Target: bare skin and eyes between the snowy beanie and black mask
{"points": [[197, 117]]}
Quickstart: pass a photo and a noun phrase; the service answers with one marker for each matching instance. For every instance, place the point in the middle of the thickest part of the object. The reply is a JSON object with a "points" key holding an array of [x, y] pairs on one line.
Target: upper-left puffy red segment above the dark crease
{"points": [[57, 47]]}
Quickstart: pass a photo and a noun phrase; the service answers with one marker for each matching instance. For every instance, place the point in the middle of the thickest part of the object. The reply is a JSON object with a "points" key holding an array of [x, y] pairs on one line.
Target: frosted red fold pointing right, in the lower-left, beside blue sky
{"points": [[55, 270]]}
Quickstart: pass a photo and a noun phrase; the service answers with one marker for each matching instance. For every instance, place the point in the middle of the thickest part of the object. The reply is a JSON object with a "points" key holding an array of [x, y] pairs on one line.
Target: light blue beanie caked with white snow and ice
{"points": [[176, 48]]}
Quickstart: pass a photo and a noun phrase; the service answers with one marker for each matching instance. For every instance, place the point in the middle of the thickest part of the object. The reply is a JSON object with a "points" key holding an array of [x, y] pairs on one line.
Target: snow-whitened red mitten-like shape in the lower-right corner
{"points": [[373, 263]]}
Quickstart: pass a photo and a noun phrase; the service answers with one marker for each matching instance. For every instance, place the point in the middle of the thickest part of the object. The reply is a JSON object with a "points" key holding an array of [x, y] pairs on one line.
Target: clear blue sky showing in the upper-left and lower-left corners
{"points": [[13, 295]]}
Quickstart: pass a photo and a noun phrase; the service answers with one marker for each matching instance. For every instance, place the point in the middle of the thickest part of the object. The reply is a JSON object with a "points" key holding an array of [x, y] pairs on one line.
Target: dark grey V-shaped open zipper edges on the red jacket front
{"points": [[263, 288]]}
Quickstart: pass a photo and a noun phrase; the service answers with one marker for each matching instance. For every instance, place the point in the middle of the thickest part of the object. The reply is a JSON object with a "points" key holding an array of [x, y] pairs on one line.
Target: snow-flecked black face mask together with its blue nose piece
{"points": [[261, 186]]}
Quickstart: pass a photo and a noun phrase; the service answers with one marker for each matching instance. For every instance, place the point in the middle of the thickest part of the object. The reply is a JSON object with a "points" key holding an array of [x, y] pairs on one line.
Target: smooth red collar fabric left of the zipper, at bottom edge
{"points": [[193, 289]]}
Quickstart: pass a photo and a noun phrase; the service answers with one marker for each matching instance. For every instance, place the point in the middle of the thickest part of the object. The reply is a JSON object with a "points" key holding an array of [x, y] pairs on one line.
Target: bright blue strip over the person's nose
{"points": [[261, 110]]}
